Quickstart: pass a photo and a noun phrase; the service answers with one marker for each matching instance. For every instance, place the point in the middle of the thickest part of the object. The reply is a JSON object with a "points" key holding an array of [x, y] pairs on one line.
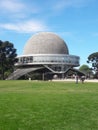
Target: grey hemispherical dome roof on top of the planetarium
{"points": [[45, 43]]}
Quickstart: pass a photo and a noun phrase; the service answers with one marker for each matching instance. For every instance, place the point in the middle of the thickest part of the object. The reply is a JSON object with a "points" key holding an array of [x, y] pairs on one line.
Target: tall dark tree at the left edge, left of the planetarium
{"points": [[7, 58]]}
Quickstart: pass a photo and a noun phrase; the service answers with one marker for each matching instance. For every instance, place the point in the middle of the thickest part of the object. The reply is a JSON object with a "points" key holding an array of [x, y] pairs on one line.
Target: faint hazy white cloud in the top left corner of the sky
{"points": [[18, 6]]}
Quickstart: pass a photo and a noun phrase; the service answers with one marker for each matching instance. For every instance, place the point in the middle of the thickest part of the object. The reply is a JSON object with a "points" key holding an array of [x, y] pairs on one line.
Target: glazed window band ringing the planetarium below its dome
{"points": [[32, 59]]}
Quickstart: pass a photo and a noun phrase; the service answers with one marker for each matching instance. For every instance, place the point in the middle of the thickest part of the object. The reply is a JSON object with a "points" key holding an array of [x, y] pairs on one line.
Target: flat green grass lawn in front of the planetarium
{"points": [[26, 105]]}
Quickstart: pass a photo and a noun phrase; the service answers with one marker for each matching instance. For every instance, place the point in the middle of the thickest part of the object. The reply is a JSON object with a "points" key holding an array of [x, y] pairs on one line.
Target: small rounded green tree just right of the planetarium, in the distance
{"points": [[85, 69]]}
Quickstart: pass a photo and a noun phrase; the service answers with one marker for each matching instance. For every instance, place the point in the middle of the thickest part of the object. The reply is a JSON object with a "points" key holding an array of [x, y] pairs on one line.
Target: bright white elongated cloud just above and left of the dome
{"points": [[24, 27]]}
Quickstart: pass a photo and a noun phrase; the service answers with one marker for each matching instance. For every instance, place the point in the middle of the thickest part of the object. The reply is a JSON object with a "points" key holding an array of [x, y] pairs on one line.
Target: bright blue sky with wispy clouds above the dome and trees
{"points": [[76, 21]]}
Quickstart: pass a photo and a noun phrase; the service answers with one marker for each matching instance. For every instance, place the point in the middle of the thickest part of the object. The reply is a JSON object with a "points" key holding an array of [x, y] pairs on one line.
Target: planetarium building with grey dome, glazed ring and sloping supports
{"points": [[45, 56]]}
